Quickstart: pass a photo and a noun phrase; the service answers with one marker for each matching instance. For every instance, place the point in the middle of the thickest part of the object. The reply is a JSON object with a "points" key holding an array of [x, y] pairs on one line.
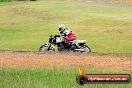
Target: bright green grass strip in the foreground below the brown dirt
{"points": [[50, 78]]}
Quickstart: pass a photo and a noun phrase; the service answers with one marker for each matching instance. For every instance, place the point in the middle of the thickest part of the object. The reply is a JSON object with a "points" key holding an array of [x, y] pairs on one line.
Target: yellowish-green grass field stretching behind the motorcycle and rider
{"points": [[26, 25]]}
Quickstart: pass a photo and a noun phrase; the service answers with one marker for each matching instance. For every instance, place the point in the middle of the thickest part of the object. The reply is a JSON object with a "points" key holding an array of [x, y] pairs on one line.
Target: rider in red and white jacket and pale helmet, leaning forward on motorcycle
{"points": [[67, 34]]}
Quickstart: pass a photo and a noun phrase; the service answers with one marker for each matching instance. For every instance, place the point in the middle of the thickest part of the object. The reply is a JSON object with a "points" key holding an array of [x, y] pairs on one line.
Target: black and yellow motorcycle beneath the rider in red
{"points": [[75, 45]]}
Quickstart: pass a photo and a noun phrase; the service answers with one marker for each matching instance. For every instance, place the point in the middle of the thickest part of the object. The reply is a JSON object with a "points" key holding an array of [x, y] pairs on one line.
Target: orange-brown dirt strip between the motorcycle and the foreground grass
{"points": [[30, 59]]}
